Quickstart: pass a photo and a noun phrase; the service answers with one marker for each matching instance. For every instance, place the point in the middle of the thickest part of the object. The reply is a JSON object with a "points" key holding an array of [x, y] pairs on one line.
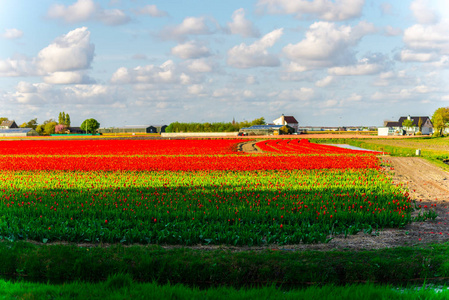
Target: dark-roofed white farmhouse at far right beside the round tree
{"points": [[396, 128]]}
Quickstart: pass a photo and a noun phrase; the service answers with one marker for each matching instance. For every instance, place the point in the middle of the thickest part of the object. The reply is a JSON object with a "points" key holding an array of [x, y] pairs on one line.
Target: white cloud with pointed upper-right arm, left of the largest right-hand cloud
{"points": [[255, 55]]}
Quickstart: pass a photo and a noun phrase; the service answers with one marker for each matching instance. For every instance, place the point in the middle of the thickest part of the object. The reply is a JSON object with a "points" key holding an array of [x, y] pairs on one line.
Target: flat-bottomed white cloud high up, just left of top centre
{"points": [[189, 26]]}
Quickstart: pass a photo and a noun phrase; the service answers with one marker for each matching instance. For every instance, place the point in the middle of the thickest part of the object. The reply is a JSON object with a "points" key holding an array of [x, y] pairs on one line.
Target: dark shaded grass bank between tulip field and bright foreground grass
{"points": [[289, 269]]}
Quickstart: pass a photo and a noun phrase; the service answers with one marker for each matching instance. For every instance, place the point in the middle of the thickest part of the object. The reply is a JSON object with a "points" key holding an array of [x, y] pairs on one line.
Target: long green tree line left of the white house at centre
{"points": [[213, 127]]}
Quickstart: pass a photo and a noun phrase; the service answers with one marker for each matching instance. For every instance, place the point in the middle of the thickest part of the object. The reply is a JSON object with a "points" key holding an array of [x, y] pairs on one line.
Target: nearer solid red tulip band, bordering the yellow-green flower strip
{"points": [[188, 163]]}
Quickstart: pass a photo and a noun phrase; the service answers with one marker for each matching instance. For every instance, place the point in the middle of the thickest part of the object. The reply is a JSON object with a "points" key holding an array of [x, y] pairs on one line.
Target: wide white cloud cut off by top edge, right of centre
{"points": [[329, 10]]}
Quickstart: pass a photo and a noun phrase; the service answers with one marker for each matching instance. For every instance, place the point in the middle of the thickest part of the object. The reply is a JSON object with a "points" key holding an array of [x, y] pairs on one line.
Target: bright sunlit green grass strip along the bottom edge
{"points": [[122, 287]]}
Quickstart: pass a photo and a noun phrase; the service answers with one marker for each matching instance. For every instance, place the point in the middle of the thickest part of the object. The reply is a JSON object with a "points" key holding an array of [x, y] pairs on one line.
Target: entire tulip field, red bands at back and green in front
{"points": [[185, 192]]}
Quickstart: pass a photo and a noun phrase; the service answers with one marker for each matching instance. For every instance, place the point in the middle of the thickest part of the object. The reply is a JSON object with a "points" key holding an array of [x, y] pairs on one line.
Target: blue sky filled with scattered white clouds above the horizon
{"points": [[326, 62]]}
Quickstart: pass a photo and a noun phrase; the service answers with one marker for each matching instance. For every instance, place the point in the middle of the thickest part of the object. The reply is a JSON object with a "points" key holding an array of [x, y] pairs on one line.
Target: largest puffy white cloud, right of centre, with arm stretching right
{"points": [[326, 45]]}
